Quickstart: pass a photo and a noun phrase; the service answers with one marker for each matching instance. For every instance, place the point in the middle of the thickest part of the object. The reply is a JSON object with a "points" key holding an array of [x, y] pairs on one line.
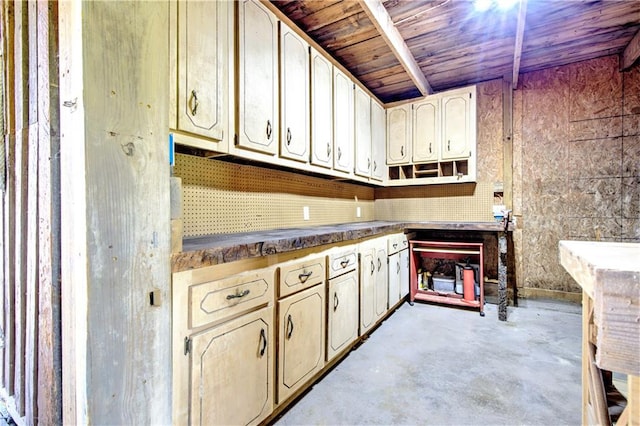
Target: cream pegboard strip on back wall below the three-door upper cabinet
{"points": [[459, 202]]}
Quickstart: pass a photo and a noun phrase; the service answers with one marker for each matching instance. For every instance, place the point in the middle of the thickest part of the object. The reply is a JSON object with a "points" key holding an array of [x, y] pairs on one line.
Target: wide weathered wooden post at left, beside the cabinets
{"points": [[115, 212]]}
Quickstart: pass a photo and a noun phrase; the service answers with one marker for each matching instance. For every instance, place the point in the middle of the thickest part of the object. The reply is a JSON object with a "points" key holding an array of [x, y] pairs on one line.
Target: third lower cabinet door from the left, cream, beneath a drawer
{"points": [[342, 313]]}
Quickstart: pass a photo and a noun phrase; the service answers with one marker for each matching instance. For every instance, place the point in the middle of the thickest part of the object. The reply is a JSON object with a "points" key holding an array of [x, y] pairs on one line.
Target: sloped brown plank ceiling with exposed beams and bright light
{"points": [[403, 49]]}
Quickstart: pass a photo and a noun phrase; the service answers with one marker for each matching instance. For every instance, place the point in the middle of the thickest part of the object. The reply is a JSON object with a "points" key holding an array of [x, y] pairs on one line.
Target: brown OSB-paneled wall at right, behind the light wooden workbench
{"points": [[576, 157]]}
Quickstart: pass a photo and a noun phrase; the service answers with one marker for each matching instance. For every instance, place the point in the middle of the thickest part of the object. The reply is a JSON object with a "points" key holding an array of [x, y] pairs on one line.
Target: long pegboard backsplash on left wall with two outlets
{"points": [[221, 198]]}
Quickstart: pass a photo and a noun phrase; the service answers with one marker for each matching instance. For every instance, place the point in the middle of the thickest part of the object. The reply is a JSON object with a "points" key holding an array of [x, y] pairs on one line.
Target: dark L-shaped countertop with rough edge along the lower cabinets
{"points": [[222, 248]]}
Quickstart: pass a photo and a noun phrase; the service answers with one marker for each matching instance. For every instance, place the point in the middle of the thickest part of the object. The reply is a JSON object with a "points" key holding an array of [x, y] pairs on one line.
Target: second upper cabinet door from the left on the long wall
{"points": [[257, 77]]}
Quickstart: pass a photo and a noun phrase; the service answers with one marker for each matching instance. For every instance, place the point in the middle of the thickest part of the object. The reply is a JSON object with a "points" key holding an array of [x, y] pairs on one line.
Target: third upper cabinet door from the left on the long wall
{"points": [[294, 66]]}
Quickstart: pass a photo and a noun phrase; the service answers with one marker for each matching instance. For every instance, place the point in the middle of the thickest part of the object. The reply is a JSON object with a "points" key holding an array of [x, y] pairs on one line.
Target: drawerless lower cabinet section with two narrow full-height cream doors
{"points": [[373, 282]]}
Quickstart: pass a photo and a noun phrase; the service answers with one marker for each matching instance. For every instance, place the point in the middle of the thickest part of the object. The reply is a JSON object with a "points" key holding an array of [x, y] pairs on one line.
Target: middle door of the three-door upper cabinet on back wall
{"points": [[426, 131]]}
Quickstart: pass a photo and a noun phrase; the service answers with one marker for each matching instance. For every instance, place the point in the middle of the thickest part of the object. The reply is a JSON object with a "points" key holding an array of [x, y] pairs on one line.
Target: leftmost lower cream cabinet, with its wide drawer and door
{"points": [[222, 317]]}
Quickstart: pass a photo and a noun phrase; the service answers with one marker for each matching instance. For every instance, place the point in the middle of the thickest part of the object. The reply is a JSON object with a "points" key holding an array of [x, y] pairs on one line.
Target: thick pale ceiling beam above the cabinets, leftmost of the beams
{"points": [[383, 23]]}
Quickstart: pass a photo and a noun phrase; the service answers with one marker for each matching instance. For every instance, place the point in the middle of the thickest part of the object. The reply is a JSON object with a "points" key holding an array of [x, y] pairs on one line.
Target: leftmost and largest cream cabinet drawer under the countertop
{"points": [[213, 301]]}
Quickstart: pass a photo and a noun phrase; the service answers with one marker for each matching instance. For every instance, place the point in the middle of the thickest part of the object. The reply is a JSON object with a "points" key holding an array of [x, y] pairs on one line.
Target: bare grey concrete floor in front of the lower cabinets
{"points": [[433, 365]]}
